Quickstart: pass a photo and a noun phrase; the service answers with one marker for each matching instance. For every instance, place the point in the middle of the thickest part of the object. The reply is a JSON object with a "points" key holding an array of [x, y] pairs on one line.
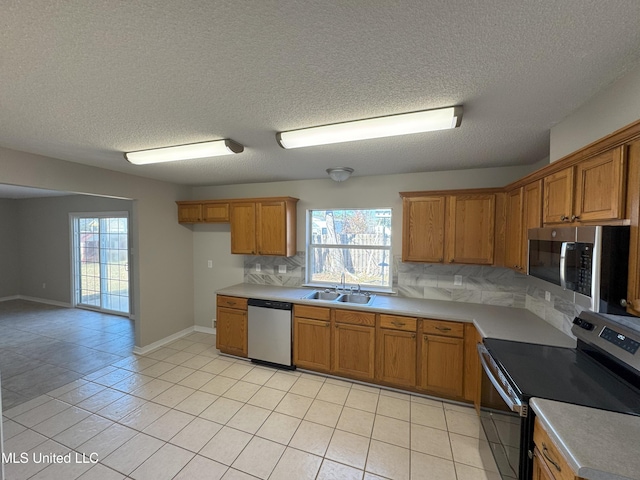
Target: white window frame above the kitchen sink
{"points": [[309, 282]]}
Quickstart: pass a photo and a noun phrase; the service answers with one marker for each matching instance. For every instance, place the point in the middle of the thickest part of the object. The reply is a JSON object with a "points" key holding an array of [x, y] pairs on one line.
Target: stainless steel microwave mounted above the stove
{"points": [[593, 262]]}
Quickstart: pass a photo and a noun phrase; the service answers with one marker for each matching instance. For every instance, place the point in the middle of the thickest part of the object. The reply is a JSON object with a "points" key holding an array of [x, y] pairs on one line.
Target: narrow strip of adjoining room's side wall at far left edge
{"points": [[9, 265]]}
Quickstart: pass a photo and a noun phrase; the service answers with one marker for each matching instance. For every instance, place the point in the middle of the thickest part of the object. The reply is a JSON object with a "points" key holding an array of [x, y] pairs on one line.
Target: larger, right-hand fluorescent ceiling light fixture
{"points": [[402, 124]]}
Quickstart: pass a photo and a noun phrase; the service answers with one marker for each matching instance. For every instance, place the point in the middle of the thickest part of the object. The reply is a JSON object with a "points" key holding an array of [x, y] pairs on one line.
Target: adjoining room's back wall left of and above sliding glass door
{"points": [[44, 243]]}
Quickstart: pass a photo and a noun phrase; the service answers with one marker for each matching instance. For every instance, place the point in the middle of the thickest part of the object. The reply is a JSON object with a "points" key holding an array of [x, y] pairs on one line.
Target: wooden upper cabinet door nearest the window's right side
{"points": [[423, 229]]}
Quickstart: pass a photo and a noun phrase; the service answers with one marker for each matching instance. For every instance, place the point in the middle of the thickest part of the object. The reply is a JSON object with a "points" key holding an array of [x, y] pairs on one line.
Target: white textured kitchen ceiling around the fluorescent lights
{"points": [[86, 80]]}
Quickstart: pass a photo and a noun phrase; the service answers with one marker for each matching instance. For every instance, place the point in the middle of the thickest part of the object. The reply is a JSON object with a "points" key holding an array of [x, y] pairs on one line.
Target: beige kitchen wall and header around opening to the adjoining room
{"points": [[163, 261]]}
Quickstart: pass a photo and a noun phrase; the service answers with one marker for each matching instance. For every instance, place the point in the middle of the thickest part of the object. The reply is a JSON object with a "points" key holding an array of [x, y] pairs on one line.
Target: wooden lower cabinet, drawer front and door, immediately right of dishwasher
{"points": [[312, 338]]}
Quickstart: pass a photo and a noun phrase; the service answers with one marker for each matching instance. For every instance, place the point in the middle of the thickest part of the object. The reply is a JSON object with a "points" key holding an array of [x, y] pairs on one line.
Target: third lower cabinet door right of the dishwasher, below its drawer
{"points": [[396, 355]]}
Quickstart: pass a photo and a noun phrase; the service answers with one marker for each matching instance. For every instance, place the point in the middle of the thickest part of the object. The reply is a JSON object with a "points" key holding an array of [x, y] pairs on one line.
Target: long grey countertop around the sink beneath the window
{"points": [[506, 323]]}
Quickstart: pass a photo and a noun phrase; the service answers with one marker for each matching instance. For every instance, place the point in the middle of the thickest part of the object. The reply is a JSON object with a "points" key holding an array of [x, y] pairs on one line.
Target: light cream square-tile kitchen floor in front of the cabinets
{"points": [[185, 412]]}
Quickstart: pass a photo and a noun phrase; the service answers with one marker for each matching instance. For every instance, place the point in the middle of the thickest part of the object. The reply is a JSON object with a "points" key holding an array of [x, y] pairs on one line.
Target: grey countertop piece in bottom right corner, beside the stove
{"points": [[597, 444]]}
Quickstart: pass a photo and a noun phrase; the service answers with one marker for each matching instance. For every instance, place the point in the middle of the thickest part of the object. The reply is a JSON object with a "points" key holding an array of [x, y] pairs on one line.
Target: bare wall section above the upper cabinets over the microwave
{"points": [[615, 107]]}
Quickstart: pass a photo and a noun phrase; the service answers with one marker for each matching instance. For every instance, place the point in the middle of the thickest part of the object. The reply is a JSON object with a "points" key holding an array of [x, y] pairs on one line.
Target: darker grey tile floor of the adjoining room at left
{"points": [[43, 347]]}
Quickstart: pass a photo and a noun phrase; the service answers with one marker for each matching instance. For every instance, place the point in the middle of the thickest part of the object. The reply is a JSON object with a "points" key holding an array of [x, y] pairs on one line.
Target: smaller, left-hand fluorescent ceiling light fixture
{"points": [[183, 152]]}
